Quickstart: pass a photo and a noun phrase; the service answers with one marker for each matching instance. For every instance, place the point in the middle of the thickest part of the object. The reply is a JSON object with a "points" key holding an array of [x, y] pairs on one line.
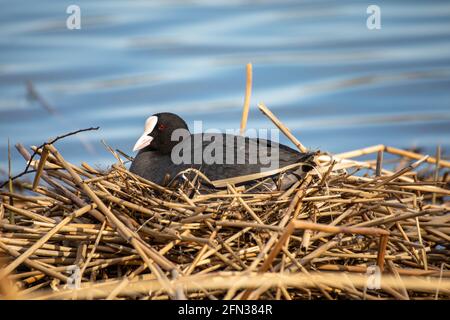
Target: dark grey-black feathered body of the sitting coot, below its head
{"points": [[218, 156]]}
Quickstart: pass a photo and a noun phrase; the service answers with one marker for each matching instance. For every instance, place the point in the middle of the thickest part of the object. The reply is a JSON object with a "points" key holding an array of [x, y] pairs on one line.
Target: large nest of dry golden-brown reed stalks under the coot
{"points": [[348, 230]]}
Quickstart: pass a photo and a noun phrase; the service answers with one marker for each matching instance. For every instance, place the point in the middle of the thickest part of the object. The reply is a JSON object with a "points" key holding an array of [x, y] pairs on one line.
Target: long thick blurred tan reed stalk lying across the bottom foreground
{"points": [[220, 281]]}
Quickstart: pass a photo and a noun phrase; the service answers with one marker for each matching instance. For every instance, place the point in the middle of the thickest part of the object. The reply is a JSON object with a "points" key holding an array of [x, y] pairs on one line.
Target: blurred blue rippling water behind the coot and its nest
{"points": [[337, 85]]}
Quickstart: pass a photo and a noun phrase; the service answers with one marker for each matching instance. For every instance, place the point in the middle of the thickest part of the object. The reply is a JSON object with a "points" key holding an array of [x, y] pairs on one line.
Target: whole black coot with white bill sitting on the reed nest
{"points": [[167, 147]]}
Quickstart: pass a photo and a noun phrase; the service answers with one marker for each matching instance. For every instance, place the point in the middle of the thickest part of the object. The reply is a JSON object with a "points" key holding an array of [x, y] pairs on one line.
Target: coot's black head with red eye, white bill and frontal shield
{"points": [[158, 131]]}
